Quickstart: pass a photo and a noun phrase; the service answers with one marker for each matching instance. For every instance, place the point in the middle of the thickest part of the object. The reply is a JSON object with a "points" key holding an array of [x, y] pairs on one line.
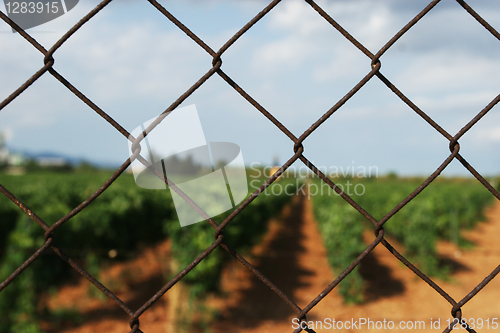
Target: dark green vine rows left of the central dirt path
{"points": [[122, 219]]}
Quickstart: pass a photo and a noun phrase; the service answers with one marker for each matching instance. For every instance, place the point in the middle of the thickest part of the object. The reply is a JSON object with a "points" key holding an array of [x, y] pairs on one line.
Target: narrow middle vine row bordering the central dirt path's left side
{"points": [[244, 231]]}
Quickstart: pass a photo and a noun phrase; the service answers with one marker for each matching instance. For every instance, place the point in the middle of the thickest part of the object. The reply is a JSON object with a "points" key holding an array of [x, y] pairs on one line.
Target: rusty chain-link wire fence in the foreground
{"points": [[374, 72]]}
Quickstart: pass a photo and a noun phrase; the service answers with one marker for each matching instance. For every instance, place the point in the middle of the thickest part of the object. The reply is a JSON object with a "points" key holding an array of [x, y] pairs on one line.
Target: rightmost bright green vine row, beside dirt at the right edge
{"points": [[438, 213]]}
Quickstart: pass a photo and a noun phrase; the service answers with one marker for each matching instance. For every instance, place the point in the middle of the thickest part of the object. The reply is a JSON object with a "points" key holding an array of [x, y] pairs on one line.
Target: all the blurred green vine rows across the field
{"points": [[126, 218]]}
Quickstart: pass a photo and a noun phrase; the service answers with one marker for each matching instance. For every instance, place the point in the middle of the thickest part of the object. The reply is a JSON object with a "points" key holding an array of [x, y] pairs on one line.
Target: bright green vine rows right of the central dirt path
{"points": [[440, 212]]}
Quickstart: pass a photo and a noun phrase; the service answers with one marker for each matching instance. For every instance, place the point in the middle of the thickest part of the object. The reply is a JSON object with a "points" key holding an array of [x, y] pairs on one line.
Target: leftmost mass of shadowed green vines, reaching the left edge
{"points": [[121, 218]]}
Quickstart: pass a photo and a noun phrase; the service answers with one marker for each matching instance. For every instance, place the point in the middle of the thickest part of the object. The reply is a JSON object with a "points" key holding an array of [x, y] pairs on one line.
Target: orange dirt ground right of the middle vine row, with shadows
{"points": [[294, 258]]}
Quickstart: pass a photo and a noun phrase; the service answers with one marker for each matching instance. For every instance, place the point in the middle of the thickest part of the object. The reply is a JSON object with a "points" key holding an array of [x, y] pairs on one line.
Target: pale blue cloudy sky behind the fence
{"points": [[133, 63]]}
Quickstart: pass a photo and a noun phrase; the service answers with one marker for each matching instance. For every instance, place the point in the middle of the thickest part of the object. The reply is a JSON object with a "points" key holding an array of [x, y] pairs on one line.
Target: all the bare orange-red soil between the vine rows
{"points": [[293, 257]]}
